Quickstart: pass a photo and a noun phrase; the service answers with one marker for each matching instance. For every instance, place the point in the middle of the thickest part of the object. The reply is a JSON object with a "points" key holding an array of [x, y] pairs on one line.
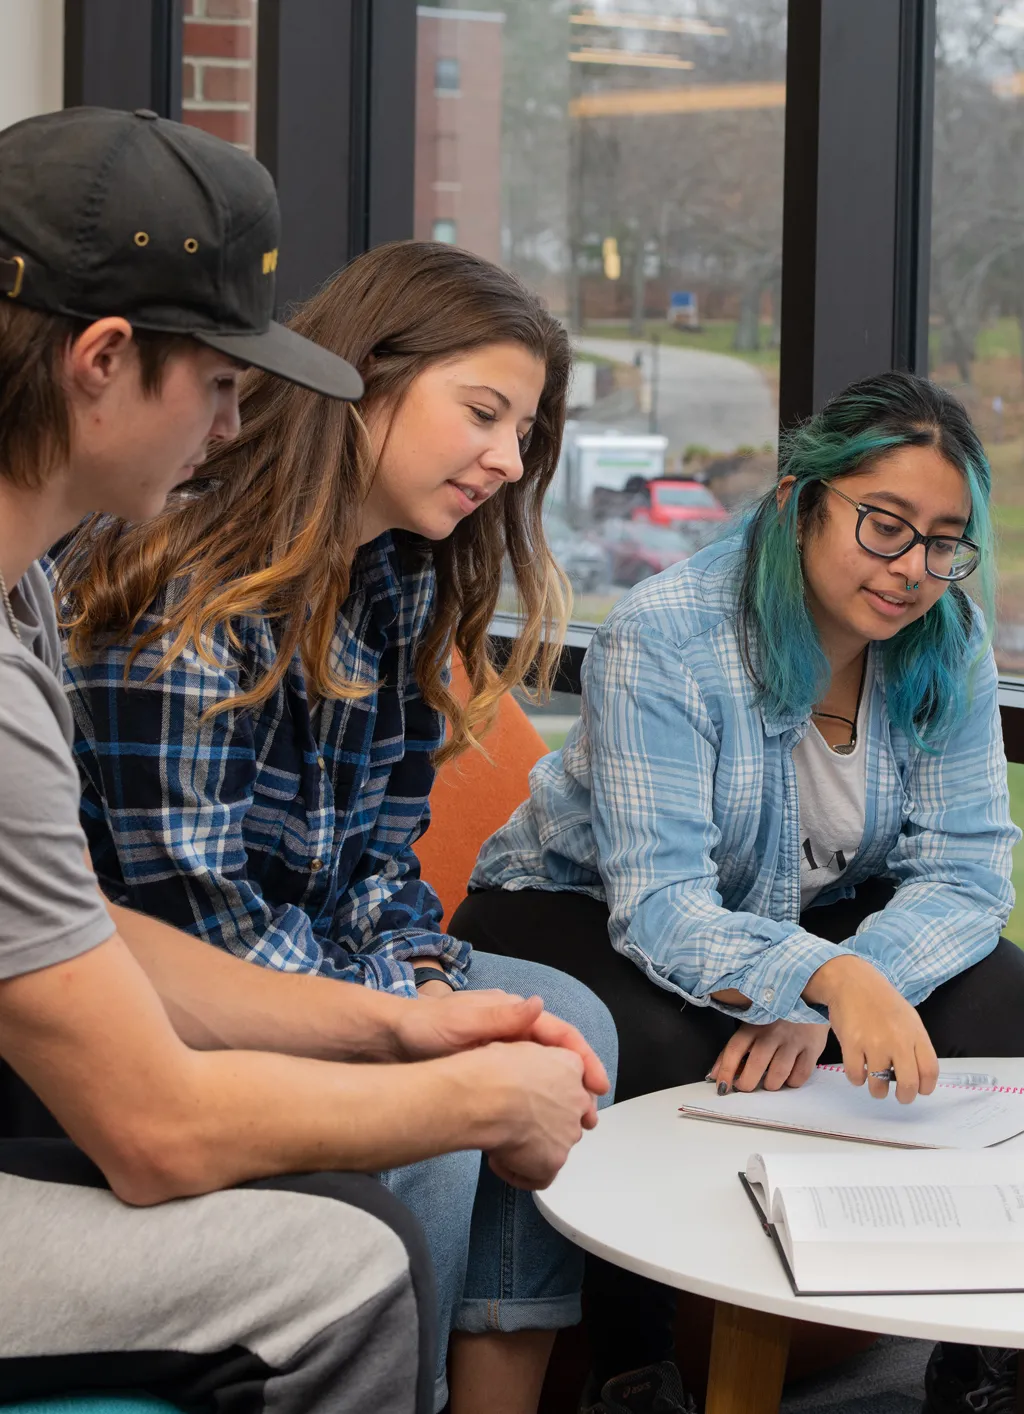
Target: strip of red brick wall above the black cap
{"points": [[219, 80]]}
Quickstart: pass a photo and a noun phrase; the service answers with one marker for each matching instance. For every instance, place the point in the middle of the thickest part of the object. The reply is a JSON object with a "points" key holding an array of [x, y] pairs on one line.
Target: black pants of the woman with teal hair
{"points": [[664, 1043]]}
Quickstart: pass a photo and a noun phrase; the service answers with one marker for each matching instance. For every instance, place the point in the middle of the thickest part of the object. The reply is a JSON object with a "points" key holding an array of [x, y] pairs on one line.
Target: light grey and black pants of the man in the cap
{"points": [[306, 1295]]}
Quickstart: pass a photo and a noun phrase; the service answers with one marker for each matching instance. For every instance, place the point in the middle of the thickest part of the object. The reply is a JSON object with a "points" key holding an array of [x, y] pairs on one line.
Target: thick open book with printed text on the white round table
{"points": [[893, 1224]]}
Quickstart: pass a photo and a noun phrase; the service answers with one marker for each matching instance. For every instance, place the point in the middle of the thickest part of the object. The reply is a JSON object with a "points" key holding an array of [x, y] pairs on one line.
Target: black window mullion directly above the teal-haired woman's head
{"points": [[856, 223]]}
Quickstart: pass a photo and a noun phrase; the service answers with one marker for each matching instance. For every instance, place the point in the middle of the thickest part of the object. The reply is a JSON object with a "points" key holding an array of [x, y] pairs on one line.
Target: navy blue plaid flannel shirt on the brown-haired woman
{"points": [[285, 834]]}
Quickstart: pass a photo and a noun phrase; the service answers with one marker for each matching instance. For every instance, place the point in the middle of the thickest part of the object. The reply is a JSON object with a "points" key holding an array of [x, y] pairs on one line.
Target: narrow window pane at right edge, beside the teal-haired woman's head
{"points": [[978, 262]]}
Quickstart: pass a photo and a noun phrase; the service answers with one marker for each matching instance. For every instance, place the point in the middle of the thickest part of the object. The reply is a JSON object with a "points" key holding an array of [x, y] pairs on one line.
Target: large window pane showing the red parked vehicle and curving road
{"points": [[627, 162]]}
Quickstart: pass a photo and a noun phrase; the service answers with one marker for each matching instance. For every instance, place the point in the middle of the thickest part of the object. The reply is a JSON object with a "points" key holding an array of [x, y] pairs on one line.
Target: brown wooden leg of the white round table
{"points": [[749, 1361]]}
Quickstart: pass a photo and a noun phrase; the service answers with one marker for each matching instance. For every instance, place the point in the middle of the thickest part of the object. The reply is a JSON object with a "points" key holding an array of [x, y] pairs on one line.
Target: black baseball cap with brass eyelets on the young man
{"points": [[111, 213]]}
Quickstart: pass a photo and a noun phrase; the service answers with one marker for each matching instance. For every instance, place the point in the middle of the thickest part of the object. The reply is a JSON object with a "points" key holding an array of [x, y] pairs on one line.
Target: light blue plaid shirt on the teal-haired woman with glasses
{"points": [[674, 800]]}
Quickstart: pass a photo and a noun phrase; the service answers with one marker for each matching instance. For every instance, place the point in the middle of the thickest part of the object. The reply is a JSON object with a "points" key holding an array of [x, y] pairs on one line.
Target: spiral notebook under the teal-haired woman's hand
{"points": [[951, 1118]]}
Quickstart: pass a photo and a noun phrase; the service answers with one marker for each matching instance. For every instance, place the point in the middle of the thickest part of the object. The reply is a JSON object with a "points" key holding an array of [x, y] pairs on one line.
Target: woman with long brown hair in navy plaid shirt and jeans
{"points": [[261, 688]]}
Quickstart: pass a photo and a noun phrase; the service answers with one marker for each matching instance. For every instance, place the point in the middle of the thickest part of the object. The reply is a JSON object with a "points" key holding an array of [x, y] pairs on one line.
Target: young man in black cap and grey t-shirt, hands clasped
{"points": [[136, 276]]}
